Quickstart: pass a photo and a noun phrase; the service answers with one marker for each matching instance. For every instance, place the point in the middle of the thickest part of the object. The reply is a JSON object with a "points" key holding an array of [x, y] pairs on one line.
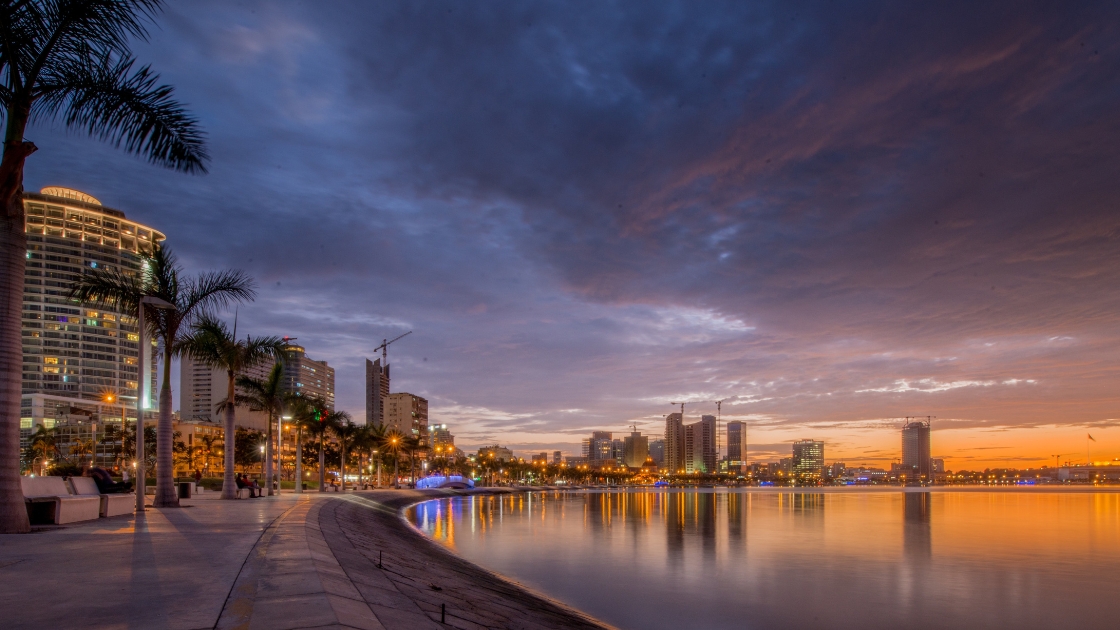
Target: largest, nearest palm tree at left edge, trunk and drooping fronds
{"points": [[70, 62]]}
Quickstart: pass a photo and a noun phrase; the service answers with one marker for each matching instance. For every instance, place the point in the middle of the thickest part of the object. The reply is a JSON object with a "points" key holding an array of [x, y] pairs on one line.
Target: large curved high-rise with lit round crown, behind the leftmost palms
{"points": [[73, 353]]}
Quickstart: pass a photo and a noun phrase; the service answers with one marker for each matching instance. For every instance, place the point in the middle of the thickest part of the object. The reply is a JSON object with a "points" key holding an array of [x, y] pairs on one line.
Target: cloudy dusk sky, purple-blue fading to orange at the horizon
{"points": [[829, 216]]}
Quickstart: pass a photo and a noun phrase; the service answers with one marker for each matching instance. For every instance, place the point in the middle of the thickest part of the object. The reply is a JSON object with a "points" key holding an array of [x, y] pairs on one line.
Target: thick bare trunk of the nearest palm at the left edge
{"points": [[13, 265]]}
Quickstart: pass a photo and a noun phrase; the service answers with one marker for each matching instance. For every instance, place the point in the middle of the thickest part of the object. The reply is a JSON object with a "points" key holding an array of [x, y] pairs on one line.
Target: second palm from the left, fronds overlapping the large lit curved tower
{"points": [[193, 299]]}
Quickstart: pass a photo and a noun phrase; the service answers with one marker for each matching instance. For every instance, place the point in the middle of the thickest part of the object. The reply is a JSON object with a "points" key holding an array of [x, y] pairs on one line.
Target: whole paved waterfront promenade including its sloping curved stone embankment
{"points": [[276, 563]]}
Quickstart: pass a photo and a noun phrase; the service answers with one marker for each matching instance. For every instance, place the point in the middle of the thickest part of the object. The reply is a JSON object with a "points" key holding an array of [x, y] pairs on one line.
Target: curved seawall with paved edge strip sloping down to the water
{"points": [[353, 561]]}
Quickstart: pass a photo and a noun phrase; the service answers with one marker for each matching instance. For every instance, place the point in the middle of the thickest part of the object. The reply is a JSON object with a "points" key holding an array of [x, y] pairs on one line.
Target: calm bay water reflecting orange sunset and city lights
{"points": [[703, 559]]}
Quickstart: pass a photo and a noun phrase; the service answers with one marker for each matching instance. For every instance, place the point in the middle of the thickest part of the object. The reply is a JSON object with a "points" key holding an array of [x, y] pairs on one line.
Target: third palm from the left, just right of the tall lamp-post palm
{"points": [[213, 345]]}
